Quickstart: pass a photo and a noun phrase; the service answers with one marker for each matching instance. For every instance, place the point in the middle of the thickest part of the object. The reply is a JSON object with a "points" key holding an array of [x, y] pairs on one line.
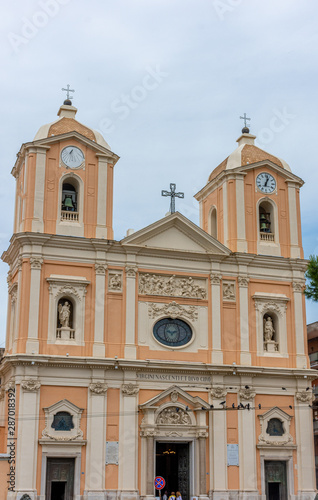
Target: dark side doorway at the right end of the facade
{"points": [[276, 480]]}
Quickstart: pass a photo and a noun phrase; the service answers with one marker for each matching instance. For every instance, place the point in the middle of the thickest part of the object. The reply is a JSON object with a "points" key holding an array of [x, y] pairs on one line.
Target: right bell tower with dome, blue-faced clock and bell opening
{"points": [[251, 202]]}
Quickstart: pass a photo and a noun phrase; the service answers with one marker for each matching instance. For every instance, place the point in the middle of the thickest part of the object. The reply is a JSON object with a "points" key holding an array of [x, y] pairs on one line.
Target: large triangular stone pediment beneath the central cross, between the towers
{"points": [[176, 232]]}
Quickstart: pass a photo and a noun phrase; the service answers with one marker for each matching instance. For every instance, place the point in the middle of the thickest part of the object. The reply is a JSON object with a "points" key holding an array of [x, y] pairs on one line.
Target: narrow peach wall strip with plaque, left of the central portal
{"points": [[112, 434]]}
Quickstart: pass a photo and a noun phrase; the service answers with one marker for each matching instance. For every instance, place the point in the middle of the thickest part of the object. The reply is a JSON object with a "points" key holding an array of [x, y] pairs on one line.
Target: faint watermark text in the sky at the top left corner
{"points": [[39, 20]]}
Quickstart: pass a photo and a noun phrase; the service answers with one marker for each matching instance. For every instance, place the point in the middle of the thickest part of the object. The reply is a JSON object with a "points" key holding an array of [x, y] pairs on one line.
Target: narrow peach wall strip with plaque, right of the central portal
{"points": [[232, 438]]}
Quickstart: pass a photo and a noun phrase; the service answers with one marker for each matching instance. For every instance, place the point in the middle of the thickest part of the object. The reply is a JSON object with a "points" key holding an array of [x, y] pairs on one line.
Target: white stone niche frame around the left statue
{"points": [[75, 288]]}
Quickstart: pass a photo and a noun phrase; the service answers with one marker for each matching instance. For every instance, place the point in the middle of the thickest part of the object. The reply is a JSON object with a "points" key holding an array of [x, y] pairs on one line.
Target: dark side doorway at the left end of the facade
{"points": [[60, 478]]}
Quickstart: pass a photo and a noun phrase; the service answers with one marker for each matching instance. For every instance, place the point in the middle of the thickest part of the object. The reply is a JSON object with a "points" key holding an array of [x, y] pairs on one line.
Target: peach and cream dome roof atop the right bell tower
{"points": [[245, 154]]}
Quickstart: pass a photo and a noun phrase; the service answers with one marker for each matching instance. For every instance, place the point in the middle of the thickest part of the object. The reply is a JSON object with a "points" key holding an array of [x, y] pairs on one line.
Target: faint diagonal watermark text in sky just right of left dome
{"points": [[121, 107]]}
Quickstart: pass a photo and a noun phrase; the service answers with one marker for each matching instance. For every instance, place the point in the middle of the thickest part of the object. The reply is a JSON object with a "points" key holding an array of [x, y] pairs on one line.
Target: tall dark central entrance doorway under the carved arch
{"points": [[173, 464]]}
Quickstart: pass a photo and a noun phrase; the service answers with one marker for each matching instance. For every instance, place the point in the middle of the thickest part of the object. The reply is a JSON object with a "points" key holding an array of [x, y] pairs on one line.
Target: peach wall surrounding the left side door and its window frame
{"points": [[50, 395]]}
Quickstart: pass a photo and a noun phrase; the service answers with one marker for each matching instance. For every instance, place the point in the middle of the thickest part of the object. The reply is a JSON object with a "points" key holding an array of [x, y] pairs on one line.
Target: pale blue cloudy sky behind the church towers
{"points": [[165, 82]]}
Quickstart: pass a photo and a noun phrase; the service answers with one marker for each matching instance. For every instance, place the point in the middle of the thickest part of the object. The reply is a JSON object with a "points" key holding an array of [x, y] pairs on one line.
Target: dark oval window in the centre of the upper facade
{"points": [[172, 332]]}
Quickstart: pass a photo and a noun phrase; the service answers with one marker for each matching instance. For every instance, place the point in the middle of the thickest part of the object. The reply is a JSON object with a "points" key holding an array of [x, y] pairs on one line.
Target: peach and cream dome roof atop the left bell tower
{"points": [[67, 123]]}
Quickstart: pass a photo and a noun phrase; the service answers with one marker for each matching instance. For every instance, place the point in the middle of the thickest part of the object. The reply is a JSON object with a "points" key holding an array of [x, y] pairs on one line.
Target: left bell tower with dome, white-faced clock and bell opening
{"points": [[65, 180]]}
